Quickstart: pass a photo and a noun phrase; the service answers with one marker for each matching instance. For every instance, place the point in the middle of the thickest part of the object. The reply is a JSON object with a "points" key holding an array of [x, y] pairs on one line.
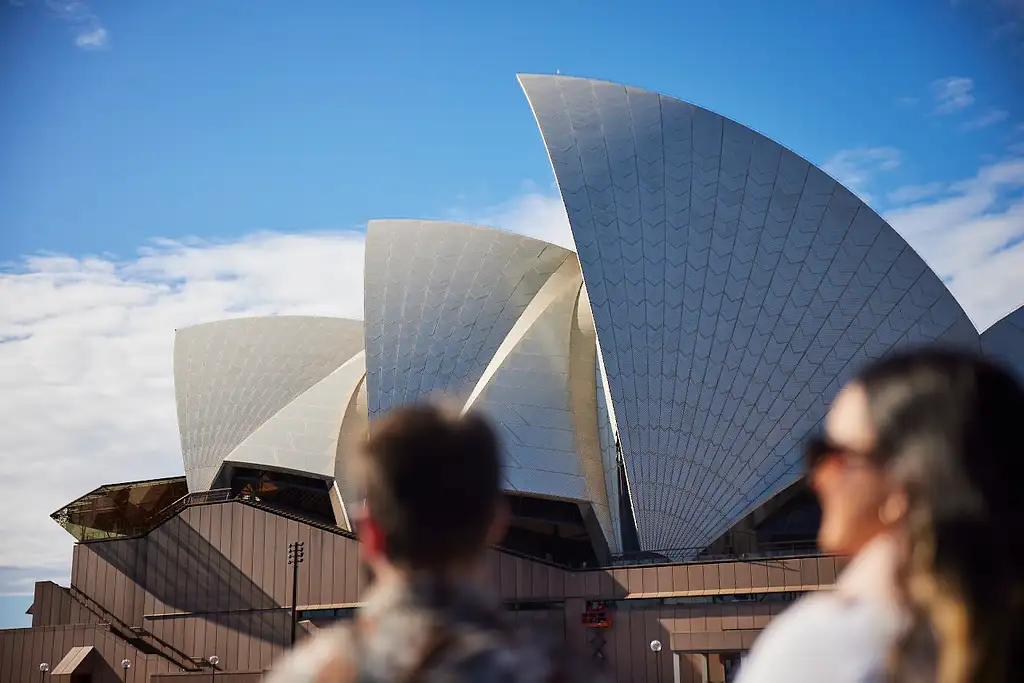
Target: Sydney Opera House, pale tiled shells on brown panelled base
{"points": [[653, 390]]}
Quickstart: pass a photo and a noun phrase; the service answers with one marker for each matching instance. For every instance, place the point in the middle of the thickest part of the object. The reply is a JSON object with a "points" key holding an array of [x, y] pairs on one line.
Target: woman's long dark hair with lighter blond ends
{"points": [[950, 433]]}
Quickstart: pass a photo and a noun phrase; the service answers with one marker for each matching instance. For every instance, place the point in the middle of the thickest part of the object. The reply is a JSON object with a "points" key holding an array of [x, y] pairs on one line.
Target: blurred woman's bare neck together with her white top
{"points": [[840, 636]]}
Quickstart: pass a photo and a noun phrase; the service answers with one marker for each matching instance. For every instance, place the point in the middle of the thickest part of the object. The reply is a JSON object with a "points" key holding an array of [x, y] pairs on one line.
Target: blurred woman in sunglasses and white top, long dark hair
{"points": [[919, 474]]}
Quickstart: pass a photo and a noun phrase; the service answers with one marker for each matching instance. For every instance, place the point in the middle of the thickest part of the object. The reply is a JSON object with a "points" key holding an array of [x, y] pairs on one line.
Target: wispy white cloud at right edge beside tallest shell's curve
{"points": [[973, 237]]}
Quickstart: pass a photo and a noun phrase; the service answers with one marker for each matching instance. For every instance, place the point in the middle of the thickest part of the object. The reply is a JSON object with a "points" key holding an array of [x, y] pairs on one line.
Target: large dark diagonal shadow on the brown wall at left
{"points": [[185, 572]]}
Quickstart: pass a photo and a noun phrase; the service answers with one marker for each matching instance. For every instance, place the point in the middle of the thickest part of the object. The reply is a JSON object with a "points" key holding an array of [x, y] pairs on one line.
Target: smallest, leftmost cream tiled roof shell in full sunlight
{"points": [[265, 392]]}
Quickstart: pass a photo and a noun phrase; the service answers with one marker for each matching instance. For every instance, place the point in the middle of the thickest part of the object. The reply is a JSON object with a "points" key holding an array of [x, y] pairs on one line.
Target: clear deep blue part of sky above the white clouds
{"points": [[219, 119]]}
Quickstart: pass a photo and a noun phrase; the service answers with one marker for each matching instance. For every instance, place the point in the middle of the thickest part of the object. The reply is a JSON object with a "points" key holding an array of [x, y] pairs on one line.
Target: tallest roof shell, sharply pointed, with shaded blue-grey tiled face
{"points": [[735, 288]]}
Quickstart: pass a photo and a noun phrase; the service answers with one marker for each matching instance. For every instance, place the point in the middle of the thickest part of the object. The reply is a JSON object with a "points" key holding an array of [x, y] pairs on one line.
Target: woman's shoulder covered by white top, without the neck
{"points": [[823, 637]]}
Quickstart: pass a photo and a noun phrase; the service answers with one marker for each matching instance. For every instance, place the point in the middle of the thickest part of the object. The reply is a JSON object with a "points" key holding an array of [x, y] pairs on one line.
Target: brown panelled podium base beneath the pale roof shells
{"points": [[168, 589]]}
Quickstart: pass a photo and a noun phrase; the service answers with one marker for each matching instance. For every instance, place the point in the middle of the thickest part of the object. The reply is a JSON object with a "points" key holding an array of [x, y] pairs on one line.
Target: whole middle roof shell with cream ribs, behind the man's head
{"points": [[491, 321]]}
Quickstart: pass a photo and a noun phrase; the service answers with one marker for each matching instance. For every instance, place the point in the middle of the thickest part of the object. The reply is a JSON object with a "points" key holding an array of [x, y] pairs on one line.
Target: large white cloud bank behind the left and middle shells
{"points": [[87, 358]]}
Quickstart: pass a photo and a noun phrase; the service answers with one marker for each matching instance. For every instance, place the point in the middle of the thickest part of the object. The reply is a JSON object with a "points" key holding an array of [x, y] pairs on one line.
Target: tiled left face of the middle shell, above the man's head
{"points": [[440, 298]]}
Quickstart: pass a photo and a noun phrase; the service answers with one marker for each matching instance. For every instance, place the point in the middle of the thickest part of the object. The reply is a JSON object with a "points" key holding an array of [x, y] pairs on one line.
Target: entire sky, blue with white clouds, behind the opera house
{"points": [[165, 163]]}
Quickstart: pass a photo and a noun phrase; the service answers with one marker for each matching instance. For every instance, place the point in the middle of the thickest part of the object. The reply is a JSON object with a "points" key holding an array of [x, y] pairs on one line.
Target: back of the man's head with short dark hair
{"points": [[433, 485]]}
